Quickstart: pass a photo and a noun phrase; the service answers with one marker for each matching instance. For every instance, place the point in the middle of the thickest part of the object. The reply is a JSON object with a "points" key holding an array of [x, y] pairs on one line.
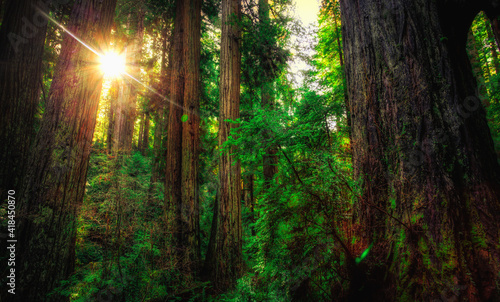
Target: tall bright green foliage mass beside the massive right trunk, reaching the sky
{"points": [[302, 241]]}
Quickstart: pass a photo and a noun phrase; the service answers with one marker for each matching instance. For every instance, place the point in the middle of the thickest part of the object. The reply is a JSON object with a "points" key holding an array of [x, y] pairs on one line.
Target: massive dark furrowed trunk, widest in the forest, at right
{"points": [[423, 149]]}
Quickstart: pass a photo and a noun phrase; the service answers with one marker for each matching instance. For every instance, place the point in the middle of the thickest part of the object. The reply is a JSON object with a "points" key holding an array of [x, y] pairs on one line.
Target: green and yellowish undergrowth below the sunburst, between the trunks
{"points": [[119, 236]]}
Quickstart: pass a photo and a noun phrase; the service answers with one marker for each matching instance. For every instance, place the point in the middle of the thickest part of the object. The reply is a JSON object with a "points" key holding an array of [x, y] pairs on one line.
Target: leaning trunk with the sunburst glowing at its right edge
{"points": [[54, 183]]}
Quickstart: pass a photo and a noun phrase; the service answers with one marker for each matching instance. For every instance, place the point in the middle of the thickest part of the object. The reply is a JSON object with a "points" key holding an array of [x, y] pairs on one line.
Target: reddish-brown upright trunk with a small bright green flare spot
{"points": [[183, 137]]}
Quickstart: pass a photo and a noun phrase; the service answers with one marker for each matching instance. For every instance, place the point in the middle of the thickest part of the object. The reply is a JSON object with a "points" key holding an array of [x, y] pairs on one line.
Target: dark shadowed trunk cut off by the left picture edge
{"points": [[22, 38]]}
